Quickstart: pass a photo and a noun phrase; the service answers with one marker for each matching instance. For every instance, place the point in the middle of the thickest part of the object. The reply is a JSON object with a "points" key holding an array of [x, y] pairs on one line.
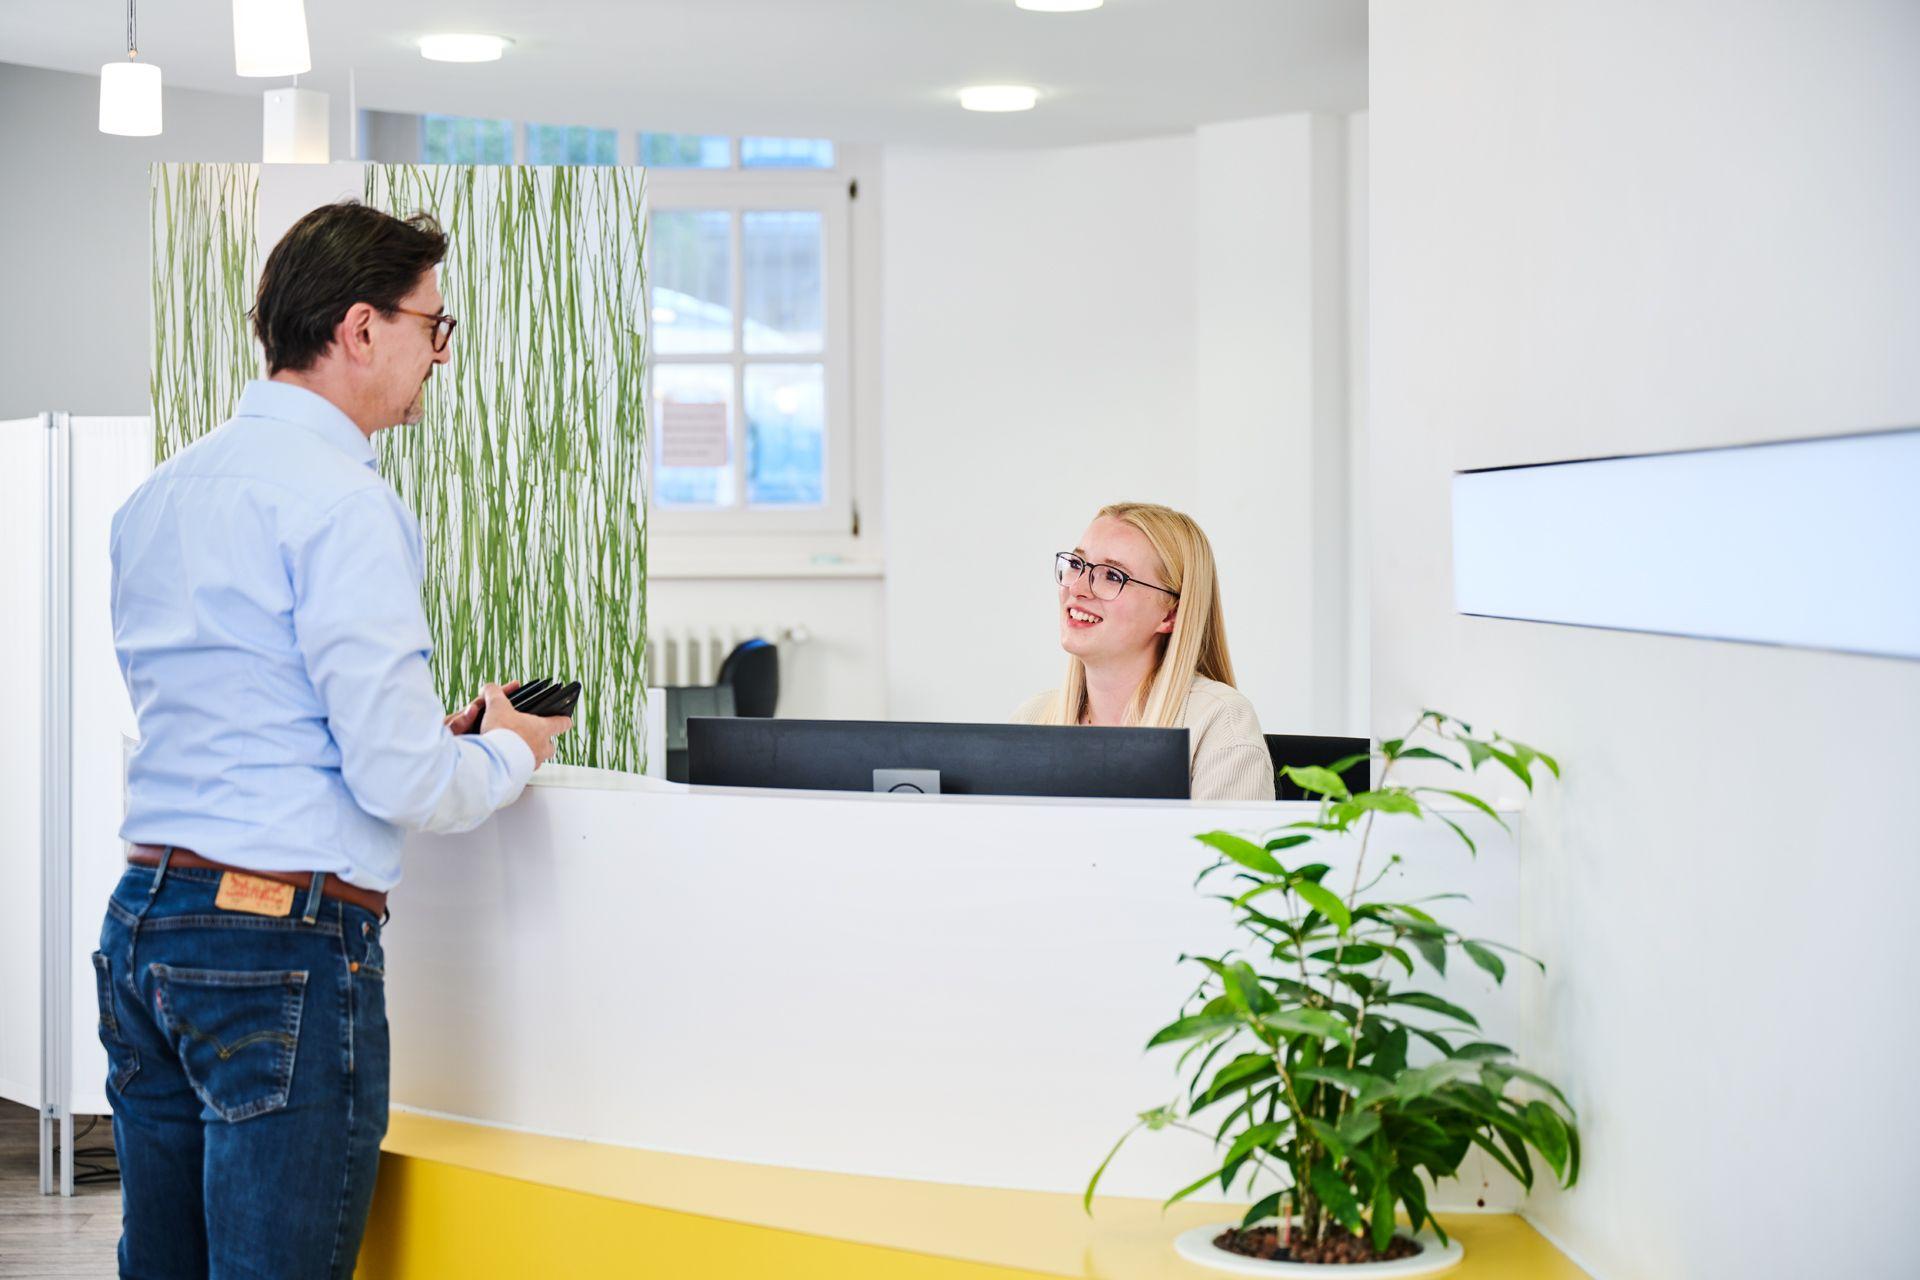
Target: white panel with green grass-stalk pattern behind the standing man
{"points": [[529, 471]]}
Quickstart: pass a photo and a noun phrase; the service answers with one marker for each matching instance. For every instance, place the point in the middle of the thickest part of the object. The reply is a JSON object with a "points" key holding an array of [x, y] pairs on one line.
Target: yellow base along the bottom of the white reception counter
{"points": [[473, 1202]]}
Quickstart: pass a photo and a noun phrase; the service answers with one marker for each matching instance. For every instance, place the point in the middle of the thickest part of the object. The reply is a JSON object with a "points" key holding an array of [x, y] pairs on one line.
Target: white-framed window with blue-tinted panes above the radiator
{"points": [[750, 373]]}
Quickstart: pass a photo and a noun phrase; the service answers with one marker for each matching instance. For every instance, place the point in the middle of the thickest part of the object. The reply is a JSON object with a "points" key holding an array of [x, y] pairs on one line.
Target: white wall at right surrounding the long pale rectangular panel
{"points": [[1639, 225]]}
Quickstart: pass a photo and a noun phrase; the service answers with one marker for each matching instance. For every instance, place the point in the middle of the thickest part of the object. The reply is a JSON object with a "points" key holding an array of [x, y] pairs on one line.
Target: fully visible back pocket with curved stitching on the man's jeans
{"points": [[235, 1033]]}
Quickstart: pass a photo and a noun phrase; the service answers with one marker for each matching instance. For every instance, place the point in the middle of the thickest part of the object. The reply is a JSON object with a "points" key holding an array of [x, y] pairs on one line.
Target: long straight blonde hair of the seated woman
{"points": [[1199, 640]]}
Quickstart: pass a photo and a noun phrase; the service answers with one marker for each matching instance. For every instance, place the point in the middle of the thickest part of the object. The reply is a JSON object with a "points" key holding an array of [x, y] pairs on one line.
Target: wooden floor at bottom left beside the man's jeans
{"points": [[45, 1237]]}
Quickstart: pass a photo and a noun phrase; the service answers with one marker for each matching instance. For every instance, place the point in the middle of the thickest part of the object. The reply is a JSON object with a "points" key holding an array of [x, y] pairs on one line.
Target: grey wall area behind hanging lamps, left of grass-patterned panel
{"points": [[74, 237]]}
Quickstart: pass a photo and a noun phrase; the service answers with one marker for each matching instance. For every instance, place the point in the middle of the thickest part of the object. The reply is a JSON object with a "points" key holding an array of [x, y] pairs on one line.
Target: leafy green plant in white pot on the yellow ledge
{"points": [[1339, 1081]]}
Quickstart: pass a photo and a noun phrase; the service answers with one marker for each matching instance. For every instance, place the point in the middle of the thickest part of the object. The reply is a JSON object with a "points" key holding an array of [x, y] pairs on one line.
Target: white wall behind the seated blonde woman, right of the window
{"points": [[1161, 321]]}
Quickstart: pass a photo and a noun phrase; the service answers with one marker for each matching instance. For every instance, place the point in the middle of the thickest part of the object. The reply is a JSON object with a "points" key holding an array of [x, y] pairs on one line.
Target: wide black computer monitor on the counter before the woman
{"points": [[984, 761]]}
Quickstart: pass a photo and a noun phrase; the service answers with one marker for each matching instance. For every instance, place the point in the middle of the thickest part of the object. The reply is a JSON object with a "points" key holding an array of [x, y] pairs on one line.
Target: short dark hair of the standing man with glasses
{"points": [[333, 258]]}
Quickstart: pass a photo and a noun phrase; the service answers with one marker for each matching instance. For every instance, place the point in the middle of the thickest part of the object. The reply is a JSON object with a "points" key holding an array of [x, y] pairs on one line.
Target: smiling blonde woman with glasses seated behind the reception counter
{"points": [[1147, 646]]}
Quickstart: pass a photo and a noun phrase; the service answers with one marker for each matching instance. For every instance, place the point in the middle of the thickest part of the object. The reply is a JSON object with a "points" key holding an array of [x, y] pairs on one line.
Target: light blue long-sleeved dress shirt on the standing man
{"points": [[268, 621]]}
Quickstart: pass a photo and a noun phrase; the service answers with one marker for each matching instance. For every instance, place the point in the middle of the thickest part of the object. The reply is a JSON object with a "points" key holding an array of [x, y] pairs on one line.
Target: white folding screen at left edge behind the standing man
{"points": [[60, 770]]}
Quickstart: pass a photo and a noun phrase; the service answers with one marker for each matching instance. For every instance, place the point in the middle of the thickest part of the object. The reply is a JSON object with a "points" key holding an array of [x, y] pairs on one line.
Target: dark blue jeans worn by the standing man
{"points": [[247, 1068]]}
